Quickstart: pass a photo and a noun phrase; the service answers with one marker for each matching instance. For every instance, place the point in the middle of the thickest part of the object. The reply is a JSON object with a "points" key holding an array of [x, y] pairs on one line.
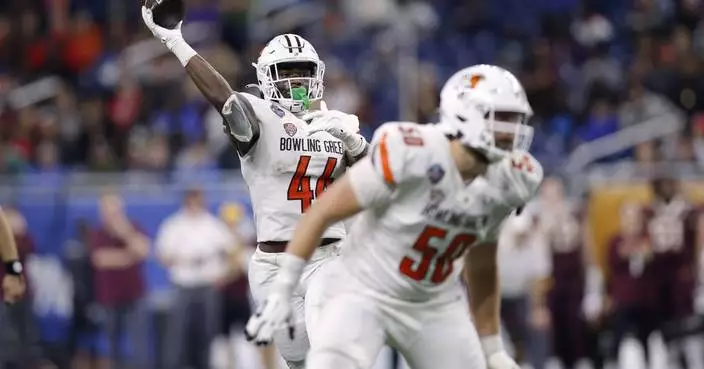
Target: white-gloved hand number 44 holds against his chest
{"points": [[341, 125]]}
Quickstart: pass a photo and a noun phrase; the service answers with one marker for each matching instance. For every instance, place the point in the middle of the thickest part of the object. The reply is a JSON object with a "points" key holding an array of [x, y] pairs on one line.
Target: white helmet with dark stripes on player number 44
{"points": [[290, 72]]}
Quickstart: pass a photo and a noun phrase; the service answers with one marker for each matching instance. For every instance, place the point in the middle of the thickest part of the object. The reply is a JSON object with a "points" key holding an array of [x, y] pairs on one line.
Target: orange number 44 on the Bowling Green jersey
{"points": [[300, 189]]}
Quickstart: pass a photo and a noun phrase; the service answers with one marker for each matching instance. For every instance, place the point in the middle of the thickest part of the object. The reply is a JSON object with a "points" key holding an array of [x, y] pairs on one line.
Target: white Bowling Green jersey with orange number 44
{"points": [[286, 170]]}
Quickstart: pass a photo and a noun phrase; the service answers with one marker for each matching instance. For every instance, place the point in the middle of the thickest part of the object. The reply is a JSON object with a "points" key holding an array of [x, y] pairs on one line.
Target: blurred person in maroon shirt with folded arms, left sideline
{"points": [[117, 250]]}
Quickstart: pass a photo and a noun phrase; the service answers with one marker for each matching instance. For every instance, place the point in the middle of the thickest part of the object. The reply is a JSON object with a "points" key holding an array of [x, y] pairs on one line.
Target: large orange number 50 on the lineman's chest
{"points": [[443, 263]]}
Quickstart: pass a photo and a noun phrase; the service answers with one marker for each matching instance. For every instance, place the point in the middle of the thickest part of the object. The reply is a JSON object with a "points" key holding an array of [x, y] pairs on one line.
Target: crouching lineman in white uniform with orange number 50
{"points": [[430, 206]]}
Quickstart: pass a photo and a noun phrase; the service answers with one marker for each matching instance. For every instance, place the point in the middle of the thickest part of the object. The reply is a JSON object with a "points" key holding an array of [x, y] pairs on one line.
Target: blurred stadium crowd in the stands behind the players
{"points": [[604, 66]]}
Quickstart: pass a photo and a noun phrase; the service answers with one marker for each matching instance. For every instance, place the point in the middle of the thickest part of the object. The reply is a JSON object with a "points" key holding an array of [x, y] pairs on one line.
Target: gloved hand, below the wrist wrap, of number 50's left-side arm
{"points": [[273, 315]]}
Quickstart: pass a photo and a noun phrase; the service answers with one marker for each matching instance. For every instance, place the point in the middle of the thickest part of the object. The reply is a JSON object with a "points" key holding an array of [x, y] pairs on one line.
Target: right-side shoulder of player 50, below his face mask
{"points": [[519, 176]]}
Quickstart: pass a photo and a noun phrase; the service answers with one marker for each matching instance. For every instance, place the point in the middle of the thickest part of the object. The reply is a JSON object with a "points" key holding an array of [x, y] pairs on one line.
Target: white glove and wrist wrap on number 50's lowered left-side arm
{"points": [[276, 313]]}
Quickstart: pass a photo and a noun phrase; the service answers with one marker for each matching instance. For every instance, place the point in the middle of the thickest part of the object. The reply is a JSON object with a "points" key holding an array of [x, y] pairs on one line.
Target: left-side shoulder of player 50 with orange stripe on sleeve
{"points": [[395, 149]]}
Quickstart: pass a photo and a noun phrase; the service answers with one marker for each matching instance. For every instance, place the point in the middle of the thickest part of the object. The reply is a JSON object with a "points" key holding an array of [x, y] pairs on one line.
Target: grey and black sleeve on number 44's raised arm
{"points": [[241, 122]]}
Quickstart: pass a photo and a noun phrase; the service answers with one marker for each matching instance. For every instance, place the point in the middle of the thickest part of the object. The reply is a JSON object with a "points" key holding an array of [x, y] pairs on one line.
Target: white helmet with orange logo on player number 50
{"points": [[487, 107]]}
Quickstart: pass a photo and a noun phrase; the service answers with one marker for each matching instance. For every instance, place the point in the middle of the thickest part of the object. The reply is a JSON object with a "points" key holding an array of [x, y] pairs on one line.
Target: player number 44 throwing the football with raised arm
{"points": [[289, 154]]}
